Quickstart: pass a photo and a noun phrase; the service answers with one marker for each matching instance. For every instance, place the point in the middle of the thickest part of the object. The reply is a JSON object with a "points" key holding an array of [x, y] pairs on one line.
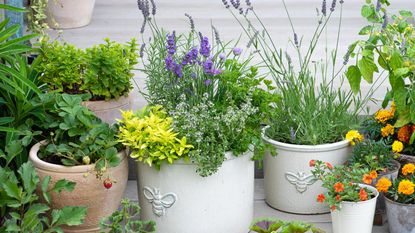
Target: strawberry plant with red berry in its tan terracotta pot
{"points": [[82, 149]]}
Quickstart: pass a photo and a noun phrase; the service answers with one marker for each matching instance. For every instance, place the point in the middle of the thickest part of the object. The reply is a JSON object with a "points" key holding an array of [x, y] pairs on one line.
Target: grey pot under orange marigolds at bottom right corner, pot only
{"points": [[401, 217]]}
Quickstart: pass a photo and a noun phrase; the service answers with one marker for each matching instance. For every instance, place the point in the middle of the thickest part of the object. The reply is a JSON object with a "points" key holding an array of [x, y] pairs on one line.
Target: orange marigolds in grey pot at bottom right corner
{"points": [[399, 196]]}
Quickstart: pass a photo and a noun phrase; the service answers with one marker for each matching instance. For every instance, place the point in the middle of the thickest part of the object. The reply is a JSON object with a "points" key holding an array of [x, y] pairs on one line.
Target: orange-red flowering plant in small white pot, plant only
{"points": [[342, 183]]}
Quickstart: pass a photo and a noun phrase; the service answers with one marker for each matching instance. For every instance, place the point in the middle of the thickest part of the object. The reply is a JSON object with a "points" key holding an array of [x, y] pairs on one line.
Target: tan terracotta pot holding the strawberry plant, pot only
{"points": [[89, 191]]}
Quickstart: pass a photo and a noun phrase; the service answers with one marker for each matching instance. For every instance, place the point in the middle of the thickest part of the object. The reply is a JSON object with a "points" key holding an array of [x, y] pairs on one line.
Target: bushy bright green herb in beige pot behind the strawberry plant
{"points": [[108, 69]]}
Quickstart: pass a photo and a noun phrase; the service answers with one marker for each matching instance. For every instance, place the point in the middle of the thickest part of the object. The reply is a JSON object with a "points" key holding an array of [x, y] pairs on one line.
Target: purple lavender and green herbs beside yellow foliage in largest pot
{"points": [[210, 91]]}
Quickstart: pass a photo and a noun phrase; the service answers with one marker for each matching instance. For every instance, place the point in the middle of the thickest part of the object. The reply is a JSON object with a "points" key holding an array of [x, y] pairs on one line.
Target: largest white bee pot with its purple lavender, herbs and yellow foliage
{"points": [[199, 133]]}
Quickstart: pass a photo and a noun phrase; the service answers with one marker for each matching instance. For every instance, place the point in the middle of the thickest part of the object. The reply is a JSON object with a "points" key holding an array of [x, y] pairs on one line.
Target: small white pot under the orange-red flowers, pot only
{"points": [[355, 216]]}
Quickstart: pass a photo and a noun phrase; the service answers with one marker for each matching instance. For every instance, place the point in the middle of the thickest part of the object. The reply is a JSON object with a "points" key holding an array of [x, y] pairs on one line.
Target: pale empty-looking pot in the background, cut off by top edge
{"points": [[64, 14]]}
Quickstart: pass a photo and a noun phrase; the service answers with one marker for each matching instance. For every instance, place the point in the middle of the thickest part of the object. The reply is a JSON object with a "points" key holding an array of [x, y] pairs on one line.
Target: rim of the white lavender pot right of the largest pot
{"points": [[305, 148]]}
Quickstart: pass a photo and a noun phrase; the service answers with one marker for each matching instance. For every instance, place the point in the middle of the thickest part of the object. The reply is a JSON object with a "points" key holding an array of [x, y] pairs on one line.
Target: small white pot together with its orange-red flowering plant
{"points": [[352, 205]]}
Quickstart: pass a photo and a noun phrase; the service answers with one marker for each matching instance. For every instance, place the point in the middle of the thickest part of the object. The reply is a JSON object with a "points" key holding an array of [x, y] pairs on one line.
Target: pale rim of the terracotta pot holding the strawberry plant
{"points": [[37, 162]]}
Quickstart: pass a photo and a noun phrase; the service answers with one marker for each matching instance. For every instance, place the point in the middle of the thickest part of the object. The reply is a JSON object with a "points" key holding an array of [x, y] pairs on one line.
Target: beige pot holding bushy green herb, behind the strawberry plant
{"points": [[109, 111]]}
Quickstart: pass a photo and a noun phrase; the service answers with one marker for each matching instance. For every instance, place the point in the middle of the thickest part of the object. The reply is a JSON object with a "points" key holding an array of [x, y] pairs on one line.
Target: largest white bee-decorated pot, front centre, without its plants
{"points": [[181, 201]]}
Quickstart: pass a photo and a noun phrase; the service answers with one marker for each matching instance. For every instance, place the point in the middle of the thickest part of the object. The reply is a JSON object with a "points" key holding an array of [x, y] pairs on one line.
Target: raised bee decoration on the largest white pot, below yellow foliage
{"points": [[159, 202]]}
